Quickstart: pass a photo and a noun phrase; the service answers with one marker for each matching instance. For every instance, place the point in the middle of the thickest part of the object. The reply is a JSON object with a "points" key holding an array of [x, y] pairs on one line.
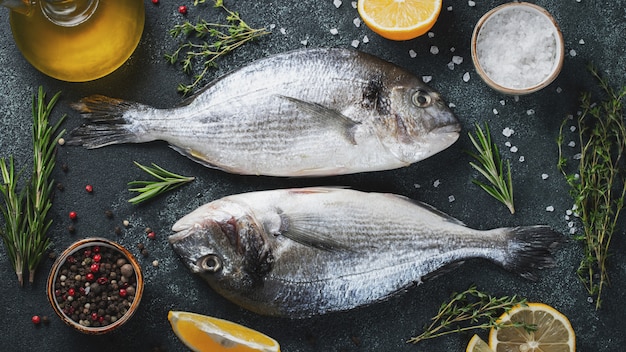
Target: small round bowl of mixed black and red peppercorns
{"points": [[95, 285]]}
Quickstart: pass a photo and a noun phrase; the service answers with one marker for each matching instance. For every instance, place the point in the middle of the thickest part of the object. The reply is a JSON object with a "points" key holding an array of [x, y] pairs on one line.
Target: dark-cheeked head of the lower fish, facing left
{"points": [[225, 245]]}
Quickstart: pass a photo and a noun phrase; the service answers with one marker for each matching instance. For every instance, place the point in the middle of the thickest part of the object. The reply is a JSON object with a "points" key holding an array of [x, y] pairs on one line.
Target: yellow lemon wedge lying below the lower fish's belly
{"points": [[204, 333]]}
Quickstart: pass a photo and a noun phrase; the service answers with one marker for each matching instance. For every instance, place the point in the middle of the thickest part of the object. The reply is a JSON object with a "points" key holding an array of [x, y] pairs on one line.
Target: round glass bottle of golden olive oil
{"points": [[78, 40]]}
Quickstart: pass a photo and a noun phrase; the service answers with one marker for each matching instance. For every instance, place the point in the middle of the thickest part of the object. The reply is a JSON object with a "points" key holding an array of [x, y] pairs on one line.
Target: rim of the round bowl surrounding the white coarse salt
{"points": [[556, 60]]}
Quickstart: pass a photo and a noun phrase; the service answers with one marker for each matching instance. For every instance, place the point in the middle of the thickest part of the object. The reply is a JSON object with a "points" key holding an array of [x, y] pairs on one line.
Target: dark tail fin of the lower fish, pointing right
{"points": [[529, 249]]}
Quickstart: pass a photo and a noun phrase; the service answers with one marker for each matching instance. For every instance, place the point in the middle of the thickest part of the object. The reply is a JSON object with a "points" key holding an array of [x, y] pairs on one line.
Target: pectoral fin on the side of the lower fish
{"points": [[301, 228]]}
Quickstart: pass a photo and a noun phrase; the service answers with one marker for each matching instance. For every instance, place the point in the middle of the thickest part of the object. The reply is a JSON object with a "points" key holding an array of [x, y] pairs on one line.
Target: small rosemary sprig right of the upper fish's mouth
{"points": [[491, 167]]}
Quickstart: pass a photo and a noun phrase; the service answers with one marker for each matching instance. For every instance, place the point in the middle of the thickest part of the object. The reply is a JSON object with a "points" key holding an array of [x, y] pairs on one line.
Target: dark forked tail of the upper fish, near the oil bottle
{"points": [[110, 121]]}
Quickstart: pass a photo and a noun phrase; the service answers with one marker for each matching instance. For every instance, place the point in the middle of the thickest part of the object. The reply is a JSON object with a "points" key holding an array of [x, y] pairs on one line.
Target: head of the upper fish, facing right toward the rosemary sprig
{"points": [[416, 121]]}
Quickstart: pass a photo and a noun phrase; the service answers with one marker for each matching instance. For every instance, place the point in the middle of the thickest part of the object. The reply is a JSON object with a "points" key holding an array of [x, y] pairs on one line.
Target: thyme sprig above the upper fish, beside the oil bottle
{"points": [[225, 38]]}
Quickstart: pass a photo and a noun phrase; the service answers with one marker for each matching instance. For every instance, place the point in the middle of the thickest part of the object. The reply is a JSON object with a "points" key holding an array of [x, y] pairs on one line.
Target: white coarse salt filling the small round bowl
{"points": [[517, 48]]}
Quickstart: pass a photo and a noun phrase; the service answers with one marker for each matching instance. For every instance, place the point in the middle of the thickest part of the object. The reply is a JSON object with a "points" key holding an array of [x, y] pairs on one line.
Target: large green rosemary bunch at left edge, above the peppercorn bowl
{"points": [[26, 212]]}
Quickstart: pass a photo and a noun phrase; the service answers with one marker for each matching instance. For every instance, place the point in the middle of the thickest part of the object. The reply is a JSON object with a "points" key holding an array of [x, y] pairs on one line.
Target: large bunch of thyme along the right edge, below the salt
{"points": [[597, 186]]}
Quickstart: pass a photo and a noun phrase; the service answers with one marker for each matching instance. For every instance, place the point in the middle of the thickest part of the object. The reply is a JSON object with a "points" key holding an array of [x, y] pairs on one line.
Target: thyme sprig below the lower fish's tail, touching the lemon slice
{"points": [[475, 310]]}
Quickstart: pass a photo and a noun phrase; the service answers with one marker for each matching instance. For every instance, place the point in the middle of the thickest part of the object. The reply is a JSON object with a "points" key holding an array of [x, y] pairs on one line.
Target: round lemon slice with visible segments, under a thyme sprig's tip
{"points": [[554, 332]]}
